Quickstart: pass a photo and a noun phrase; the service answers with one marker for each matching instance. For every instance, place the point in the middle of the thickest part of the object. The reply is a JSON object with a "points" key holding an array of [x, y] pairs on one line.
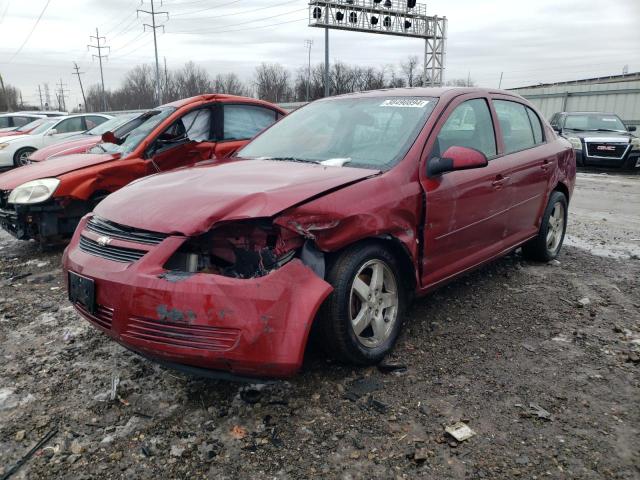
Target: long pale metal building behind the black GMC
{"points": [[619, 94]]}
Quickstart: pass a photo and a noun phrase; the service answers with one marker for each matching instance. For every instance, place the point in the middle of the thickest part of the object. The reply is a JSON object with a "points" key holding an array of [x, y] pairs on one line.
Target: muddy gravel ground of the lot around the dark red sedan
{"points": [[549, 381]]}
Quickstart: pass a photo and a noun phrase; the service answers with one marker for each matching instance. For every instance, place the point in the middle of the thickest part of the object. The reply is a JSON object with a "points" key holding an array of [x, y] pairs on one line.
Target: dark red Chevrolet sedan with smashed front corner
{"points": [[336, 215]]}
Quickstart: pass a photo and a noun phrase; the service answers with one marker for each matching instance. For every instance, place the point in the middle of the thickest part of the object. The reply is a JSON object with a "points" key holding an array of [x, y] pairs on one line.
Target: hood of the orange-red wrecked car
{"points": [[51, 168]]}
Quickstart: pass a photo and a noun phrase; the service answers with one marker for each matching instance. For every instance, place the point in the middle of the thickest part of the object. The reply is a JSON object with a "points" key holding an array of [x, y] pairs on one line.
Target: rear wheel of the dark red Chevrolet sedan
{"points": [[547, 244]]}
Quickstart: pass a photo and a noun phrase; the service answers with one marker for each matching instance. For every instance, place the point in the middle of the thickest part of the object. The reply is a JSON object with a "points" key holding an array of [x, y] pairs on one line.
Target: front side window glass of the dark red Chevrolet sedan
{"points": [[469, 125]]}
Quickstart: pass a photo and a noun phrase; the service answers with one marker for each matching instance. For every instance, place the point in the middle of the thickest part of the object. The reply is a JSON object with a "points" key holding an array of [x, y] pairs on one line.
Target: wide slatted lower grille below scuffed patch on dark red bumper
{"points": [[198, 337]]}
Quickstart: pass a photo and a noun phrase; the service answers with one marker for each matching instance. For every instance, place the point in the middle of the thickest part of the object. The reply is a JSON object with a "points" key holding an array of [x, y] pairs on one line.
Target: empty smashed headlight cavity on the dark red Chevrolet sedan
{"points": [[244, 249]]}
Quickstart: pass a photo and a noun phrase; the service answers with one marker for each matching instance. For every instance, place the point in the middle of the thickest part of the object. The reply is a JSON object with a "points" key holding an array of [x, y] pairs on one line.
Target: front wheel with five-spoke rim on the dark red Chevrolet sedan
{"points": [[362, 318]]}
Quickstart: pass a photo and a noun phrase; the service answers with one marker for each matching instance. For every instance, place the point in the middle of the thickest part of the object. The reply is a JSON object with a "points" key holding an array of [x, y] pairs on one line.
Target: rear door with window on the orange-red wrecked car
{"points": [[238, 123]]}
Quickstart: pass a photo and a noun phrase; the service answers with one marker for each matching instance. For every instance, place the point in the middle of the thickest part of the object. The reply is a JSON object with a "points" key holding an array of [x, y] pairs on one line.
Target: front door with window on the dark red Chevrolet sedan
{"points": [[466, 211]]}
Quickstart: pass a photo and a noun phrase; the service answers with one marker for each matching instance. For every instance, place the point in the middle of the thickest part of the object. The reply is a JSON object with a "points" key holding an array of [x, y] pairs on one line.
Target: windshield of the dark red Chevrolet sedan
{"points": [[369, 132]]}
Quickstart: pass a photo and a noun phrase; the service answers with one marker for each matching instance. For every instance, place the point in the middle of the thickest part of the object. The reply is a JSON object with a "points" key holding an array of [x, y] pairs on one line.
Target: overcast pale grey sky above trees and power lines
{"points": [[531, 41]]}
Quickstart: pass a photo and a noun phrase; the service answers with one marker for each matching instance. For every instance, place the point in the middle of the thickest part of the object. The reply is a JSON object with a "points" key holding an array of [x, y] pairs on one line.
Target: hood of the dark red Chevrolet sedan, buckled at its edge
{"points": [[192, 200]]}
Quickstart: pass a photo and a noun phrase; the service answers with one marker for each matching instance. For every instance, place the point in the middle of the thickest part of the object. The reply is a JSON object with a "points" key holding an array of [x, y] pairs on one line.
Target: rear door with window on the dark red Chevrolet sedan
{"points": [[531, 161]]}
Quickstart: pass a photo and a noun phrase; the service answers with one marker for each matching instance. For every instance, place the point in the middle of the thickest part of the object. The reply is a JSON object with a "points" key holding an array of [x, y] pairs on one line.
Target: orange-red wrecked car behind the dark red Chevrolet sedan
{"points": [[45, 200]]}
